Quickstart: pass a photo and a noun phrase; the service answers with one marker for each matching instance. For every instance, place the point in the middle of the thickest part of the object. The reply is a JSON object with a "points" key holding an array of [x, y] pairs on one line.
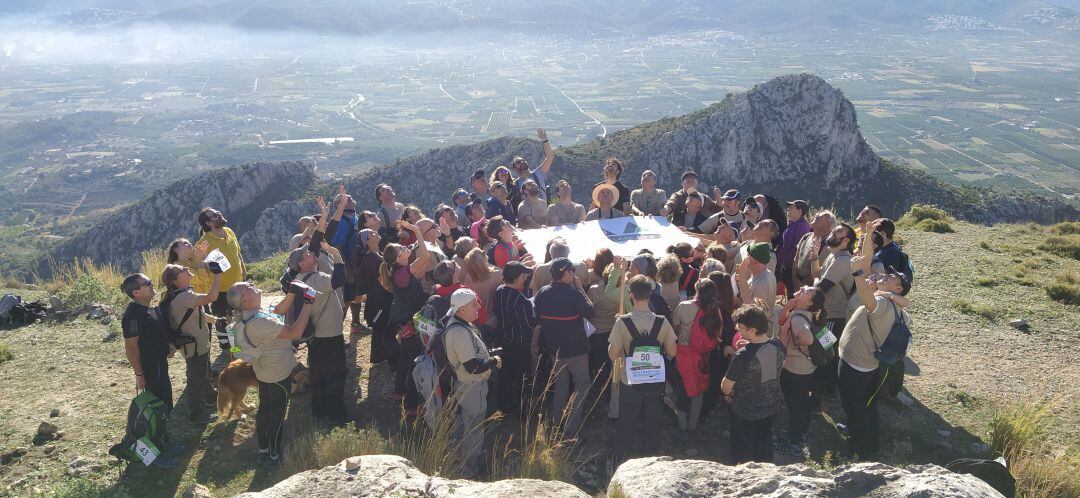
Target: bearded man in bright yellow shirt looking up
{"points": [[218, 236]]}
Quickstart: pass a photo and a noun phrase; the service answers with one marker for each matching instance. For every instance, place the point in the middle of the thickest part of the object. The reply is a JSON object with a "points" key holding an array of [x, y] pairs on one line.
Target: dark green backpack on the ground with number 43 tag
{"points": [[145, 437]]}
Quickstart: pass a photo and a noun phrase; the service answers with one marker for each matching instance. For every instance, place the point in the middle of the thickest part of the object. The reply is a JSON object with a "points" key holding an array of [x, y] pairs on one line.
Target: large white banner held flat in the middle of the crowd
{"points": [[626, 237]]}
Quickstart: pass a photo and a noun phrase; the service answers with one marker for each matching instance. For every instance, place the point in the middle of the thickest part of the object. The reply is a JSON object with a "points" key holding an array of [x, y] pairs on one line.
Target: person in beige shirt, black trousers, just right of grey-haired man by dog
{"points": [[327, 347]]}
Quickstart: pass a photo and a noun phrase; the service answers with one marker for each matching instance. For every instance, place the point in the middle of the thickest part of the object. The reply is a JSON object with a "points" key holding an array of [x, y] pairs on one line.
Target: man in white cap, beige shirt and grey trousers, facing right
{"points": [[472, 366]]}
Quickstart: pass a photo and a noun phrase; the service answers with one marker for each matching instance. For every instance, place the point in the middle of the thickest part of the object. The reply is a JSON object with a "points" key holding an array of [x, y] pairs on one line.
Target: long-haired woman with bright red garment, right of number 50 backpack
{"points": [[698, 325]]}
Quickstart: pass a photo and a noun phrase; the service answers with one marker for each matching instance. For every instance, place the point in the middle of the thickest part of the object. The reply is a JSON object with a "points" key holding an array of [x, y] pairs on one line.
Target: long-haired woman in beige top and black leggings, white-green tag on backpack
{"points": [[804, 314]]}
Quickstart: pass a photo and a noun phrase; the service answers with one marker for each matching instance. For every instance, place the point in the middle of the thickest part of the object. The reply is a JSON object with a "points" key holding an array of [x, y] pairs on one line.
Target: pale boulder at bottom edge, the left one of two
{"points": [[393, 476]]}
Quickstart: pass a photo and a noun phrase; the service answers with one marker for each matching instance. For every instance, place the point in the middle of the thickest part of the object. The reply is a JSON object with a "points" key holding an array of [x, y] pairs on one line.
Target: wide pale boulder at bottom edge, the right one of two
{"points": [[664, 477]]}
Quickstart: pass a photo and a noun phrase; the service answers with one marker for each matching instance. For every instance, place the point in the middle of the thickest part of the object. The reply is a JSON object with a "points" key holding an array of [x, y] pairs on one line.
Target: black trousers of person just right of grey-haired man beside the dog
{"points": [[327, 364]]}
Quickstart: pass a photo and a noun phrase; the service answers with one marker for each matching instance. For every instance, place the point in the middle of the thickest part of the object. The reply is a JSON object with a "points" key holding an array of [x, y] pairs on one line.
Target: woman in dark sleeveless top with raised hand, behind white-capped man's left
{"points": [[402, 278]]}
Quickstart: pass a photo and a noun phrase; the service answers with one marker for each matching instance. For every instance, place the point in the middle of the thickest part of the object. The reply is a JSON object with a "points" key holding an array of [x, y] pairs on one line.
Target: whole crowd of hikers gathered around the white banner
{"points": [[773, 311]]}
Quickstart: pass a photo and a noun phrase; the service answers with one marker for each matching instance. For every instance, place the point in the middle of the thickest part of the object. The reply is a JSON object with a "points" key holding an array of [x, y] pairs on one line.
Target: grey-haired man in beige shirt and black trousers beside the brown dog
{"points": [[268, 345]]}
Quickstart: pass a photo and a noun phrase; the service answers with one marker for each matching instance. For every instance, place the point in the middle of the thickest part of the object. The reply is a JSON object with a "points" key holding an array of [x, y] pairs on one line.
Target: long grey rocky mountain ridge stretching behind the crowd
{"points": [[794, 137]]}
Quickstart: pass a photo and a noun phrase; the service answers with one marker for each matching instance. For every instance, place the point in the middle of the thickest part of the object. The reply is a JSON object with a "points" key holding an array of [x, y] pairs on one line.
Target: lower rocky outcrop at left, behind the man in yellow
{"points": [[241, 193]]}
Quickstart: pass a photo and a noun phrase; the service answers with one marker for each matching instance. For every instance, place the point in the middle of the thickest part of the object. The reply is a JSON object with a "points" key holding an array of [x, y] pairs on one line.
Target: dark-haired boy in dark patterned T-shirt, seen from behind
{"points": [[752, 386]]}
